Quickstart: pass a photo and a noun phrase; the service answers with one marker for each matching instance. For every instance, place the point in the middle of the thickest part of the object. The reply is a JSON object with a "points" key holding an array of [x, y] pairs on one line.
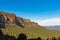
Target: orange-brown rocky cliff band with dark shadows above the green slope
{"points": [[9, 18]]}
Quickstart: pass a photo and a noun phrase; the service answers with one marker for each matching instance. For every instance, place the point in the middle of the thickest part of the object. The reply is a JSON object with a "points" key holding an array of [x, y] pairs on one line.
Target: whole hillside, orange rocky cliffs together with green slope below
{"points": [[15, 25]]}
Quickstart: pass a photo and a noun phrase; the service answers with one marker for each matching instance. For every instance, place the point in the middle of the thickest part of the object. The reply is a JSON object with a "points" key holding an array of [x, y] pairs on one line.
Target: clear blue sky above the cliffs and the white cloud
{"points": [[32, 9]]}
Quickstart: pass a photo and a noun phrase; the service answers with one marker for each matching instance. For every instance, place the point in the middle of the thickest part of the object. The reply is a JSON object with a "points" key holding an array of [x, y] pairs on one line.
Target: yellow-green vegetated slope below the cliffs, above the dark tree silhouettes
{"points": [[31, 32]]}
